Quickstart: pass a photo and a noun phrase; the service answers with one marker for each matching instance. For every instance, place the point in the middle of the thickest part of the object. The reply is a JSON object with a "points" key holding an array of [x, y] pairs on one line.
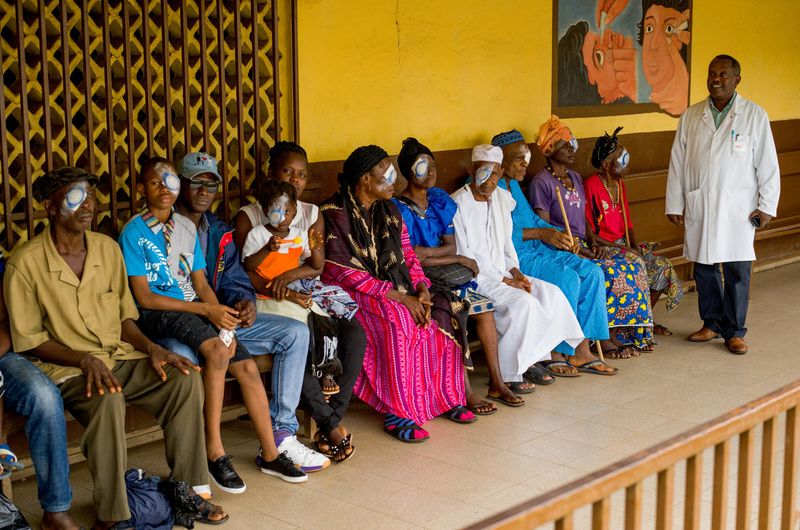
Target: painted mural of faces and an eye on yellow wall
{"points": [[620, 56]]}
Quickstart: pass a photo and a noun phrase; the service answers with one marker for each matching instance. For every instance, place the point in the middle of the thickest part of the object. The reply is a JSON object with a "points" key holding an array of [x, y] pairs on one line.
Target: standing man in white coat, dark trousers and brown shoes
{"points": [[723, 184]]}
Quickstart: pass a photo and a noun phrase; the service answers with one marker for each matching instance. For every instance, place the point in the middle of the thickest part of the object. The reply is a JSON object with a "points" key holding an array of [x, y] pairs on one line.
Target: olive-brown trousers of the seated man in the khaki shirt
{"points": [[177, 404]]}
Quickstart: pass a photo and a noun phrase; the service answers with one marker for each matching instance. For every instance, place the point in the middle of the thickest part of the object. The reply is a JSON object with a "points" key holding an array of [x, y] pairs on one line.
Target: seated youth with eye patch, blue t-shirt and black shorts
{"points": [[166, 268]]}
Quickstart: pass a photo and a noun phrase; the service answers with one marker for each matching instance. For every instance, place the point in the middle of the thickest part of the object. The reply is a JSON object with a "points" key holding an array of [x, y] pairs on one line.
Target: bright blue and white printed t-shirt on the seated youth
{"points": [[145, 253]]}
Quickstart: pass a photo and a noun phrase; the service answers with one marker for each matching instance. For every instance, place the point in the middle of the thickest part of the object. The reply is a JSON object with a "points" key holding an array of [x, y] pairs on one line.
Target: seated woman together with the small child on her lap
{"points": [[283, 254]]}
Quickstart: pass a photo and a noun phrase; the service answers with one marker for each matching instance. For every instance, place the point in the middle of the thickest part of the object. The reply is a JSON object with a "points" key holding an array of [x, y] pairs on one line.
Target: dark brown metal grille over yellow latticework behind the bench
{"points": [[104, 85]]}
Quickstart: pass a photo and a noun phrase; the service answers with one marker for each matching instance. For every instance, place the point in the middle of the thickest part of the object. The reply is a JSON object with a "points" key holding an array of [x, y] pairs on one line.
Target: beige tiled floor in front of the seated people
{"points": [[467, 472]]}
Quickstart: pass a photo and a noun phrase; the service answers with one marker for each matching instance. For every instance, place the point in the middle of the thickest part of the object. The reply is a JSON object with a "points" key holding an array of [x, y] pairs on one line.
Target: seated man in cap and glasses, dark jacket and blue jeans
{"points": [[285, 338]]}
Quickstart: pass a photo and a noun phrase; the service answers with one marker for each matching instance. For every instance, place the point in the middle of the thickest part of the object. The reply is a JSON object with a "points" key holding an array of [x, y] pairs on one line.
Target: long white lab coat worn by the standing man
{"points": [[717, 177]]}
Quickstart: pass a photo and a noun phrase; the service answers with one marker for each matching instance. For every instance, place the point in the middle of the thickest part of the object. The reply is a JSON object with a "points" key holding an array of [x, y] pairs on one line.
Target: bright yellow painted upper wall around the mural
{"points": [[455, 72]]}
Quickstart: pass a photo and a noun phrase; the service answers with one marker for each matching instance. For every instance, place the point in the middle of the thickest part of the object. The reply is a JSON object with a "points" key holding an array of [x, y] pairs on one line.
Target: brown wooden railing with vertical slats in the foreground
{"points": [[595, 490]]}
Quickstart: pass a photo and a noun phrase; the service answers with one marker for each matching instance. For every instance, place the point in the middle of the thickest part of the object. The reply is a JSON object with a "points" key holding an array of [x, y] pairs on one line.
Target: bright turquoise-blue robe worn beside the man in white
{"points": [[579, 279]]}
